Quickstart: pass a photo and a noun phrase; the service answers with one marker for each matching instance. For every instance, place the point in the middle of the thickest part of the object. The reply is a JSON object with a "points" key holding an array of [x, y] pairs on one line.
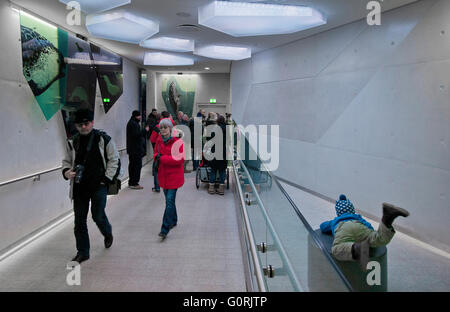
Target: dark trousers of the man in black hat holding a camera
{"points": [[81, 209]]}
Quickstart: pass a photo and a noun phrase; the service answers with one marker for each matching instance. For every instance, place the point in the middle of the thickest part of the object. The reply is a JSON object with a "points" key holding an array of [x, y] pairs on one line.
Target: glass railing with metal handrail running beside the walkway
{"points": [[290, 254]]}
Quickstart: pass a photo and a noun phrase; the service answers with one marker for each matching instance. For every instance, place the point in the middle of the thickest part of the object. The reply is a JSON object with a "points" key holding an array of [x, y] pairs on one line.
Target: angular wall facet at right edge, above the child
{"points": [[388, 120]]}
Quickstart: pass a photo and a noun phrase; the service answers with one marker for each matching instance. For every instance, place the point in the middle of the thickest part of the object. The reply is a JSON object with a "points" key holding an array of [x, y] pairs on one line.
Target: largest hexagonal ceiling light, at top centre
{"points": [[241, 19]]}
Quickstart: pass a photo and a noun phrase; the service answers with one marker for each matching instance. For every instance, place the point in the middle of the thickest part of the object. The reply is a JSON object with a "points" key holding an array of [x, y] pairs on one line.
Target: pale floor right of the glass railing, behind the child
{"points": [[412, 265]]}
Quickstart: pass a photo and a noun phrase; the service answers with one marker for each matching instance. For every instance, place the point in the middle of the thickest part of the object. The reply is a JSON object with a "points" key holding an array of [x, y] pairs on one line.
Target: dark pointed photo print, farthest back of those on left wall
{"points": [[109, 74]]}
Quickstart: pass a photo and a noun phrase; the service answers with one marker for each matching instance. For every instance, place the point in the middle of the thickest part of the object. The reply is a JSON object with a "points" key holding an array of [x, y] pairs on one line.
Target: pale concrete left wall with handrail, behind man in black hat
{"points": [[31, 144]]}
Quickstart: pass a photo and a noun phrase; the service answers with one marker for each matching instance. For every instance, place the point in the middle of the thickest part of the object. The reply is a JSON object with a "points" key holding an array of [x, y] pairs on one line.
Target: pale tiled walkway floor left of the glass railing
{"points": [[202, 253]]}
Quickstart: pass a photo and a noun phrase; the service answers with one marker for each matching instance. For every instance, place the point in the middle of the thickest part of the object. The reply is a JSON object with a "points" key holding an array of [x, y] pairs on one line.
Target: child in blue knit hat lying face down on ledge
{"points": [[353, 235]]}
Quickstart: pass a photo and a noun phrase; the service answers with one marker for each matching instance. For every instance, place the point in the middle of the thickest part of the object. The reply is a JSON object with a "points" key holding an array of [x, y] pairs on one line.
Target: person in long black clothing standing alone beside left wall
{"points": [[135, 149]]}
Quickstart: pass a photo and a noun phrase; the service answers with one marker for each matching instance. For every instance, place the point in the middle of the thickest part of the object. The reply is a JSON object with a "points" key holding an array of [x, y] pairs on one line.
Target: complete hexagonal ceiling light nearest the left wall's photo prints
{"points": [[121, 26]]}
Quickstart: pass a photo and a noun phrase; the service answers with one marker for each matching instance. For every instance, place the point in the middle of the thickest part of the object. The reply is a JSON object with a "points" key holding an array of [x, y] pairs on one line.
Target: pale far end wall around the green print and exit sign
{"points": [[209, 86]]}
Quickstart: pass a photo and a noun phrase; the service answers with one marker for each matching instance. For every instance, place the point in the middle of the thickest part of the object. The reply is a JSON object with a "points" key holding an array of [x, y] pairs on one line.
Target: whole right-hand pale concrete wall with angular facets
{"points": [[363, 110]]}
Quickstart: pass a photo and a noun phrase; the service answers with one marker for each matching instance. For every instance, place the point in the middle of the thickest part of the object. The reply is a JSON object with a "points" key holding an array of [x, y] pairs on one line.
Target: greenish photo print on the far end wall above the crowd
{"points": [[178, 93]]}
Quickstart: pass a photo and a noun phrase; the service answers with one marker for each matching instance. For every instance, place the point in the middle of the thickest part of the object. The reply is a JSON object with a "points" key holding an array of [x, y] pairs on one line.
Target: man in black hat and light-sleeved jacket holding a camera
{"points": [[91, 162]]}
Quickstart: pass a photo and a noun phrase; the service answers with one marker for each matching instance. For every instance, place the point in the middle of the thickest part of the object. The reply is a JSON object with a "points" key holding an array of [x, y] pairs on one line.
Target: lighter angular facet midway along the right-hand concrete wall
{"points": [[304, 108]]}
